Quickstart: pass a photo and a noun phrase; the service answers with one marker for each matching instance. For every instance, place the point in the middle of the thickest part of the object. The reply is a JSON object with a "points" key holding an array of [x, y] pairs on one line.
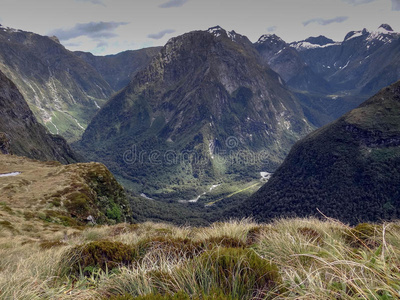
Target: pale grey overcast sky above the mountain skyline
{"points": [[111, 26]]}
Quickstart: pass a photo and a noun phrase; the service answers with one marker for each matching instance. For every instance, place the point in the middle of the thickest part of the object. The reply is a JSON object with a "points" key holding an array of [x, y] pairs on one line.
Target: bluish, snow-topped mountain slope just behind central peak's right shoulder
{"points": [[287, 62]]}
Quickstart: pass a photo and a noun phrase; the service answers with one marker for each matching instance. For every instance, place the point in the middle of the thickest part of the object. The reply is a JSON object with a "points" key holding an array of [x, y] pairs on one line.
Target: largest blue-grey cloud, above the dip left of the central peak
{"points": [[94, 30]]}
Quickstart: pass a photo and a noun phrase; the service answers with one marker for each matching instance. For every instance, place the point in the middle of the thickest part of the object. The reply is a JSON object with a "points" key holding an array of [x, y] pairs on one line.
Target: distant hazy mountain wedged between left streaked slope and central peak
{"points": [[119, 69]]}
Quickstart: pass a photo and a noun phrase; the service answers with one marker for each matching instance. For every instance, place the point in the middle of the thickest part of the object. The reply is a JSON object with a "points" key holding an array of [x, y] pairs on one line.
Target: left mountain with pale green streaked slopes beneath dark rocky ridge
{"points": [[63, 91]]}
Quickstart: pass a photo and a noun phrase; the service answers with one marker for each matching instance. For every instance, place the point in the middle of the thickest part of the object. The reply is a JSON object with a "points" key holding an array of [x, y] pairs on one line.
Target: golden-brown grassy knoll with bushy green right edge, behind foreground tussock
{"points": [[68, 195]]}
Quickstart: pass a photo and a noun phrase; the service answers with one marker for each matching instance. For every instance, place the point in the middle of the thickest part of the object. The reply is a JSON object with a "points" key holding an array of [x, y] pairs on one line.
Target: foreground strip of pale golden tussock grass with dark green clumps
{"points": [[287, 259]]}
